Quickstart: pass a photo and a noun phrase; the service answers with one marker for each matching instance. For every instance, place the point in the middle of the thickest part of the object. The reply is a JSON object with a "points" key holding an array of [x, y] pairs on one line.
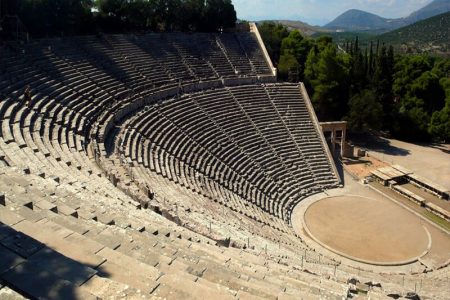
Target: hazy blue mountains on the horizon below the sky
{"points": [[358, 20]]}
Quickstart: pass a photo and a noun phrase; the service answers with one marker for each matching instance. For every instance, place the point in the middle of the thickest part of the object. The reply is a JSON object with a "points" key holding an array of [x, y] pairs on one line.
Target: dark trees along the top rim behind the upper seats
{"points": [[56, 17]]}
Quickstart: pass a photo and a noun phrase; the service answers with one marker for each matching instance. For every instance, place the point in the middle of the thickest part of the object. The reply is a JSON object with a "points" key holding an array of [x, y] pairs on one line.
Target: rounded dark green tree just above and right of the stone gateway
{"points": [[365, 112]]}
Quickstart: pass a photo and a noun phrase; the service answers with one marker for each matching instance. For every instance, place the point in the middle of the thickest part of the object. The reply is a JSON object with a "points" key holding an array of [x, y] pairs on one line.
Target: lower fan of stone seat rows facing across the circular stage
{"points": [[252, 143]]}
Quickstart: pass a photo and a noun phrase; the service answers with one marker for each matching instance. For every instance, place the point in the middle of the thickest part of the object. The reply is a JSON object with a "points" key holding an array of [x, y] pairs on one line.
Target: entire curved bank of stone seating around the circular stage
{"points": [[188, 115]]}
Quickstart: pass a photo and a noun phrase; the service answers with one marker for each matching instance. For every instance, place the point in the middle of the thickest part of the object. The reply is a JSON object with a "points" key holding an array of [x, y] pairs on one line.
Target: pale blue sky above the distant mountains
{"points": [[320, 12]]}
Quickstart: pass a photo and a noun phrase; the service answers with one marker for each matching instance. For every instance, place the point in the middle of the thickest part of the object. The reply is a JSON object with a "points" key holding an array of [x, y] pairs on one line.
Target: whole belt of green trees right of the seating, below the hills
{"points": [[372, 88]]}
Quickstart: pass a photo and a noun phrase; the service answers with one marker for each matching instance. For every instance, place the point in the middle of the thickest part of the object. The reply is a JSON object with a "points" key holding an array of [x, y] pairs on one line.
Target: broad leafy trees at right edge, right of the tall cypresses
{"points": [[422, 88]]}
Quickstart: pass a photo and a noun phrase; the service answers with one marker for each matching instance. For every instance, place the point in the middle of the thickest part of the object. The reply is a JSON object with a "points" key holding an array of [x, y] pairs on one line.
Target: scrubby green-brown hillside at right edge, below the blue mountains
{"points": [[427, 36]]}
